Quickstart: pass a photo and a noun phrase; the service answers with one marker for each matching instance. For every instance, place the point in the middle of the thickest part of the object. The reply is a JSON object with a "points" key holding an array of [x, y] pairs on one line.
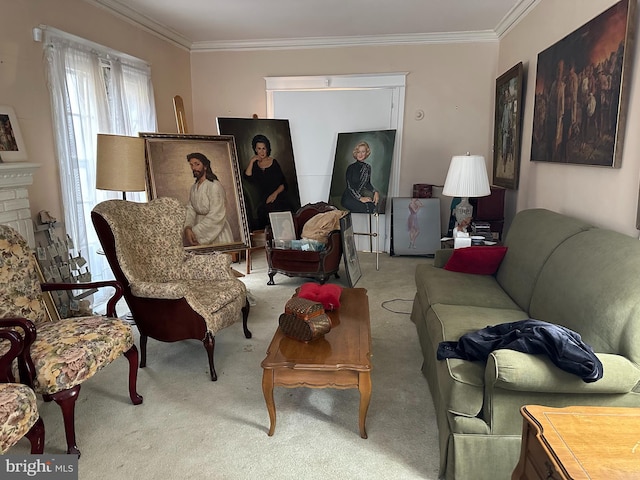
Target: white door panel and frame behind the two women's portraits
{"points": [[318, 108]]}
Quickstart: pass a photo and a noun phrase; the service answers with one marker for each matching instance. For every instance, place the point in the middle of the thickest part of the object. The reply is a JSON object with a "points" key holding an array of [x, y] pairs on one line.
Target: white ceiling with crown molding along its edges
{"points": [[251, 24]]}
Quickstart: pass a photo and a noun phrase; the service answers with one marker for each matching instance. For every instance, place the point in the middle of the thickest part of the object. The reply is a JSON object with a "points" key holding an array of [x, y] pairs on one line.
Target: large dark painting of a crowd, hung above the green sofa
{"points": [[582, 91]]}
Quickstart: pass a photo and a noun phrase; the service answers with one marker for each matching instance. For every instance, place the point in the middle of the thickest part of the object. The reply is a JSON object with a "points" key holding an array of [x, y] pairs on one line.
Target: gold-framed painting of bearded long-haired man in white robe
{"points": [[176, 165]]}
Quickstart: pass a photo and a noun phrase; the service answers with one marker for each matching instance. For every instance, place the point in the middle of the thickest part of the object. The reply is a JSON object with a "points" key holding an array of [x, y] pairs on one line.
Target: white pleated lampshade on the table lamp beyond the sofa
{"points": [[467, 177]]}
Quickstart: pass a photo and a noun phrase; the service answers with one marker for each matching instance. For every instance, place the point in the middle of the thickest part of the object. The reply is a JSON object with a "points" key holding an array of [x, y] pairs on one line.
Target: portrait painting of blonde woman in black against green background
{"points": [[361, 171]]}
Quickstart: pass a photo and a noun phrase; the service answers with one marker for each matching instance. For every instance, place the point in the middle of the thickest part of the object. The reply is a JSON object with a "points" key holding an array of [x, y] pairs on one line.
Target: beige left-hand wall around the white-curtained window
{"points": [[22, 78]]}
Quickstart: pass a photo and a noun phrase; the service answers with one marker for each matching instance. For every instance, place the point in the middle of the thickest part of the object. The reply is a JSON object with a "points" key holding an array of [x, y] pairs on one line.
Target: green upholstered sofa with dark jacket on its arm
{"points": [[558, 269]]}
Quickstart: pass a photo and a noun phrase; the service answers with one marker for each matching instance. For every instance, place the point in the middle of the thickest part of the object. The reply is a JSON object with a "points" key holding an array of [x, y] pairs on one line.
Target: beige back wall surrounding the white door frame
{"points": [[453, 84]]}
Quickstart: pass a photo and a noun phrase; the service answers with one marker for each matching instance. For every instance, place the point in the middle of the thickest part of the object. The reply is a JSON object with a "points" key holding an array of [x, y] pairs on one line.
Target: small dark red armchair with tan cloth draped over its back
{"points": [[318, 265]]}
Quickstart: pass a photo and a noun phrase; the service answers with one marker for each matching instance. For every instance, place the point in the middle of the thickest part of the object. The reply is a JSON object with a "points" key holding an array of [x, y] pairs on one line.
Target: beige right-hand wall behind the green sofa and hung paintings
{"points": [[605, 196]]}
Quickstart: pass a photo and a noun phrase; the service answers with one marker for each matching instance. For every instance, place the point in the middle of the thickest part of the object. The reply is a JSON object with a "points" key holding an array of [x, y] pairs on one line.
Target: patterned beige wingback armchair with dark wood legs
{"points": [[173, 294]]}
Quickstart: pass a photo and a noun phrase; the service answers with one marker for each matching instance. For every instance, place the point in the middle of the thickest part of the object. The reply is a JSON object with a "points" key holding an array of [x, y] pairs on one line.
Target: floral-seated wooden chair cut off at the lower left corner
{"points": [[18, 407]]}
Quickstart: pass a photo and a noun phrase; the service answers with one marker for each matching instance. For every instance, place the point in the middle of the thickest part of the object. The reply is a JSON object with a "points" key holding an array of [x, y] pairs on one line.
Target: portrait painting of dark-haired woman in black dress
{"points": [[264, 146]]}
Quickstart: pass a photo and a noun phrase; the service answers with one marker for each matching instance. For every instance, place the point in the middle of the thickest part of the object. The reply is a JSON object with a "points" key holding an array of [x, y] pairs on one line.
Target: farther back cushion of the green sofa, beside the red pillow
{"points": [[532, 237]]}
